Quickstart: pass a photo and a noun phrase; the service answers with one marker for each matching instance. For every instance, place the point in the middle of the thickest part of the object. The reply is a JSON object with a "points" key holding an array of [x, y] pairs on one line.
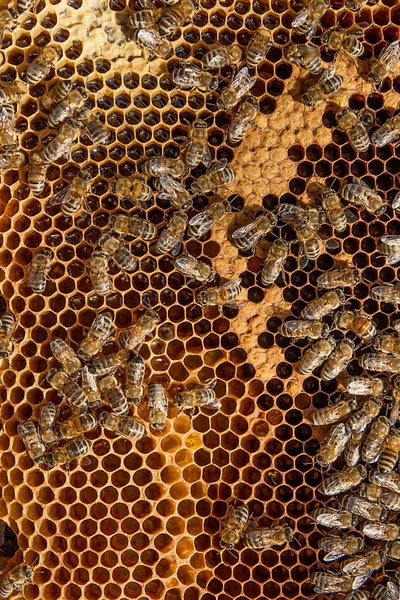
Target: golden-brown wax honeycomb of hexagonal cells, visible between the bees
{"points": [[142, 520]]}
